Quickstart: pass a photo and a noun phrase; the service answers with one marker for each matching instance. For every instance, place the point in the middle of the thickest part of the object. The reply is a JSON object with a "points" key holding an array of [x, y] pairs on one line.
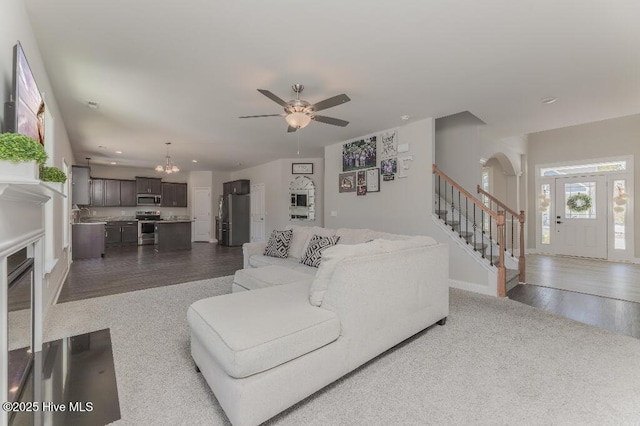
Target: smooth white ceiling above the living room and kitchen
{"points": [[185, 70]]}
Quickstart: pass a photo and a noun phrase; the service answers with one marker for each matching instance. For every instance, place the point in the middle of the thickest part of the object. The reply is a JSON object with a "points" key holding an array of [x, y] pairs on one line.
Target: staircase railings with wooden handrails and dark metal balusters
{"points": [[486, 227]]}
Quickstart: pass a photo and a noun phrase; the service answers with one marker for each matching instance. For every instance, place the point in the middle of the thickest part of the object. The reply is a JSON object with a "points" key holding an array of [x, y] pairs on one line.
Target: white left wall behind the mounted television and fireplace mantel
{"points": [[16, 26]]}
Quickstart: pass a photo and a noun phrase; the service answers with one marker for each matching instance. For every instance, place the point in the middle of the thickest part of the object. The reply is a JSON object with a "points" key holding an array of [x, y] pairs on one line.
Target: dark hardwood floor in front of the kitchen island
{"points": [[133, 268]]}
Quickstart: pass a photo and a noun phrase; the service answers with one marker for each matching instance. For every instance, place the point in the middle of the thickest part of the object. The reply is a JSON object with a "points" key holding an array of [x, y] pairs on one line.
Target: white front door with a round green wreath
{"points": [[581, 216]]}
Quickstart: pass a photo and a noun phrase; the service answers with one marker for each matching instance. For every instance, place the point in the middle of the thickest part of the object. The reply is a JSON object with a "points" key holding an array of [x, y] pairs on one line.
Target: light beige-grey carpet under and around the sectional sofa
{"points": [[496, 361]]}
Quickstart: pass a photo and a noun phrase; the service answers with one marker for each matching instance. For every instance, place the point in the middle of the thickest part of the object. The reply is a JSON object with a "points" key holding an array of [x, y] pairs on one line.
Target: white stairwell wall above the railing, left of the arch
{"points": [[457, 142]]}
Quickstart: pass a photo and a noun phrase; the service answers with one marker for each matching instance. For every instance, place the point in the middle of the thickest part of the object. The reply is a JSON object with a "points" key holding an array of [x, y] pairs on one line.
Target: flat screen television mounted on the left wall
{"points": [[24, 113]]}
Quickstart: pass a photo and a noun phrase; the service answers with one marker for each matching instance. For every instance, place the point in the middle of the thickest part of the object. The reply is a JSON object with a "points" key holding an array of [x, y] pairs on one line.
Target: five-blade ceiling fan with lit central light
{"points": [[298, 113]]}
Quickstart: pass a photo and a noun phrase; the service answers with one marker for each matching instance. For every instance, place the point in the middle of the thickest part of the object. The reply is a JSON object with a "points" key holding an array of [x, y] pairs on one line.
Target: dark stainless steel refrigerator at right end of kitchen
{"points": [[234, 220]]}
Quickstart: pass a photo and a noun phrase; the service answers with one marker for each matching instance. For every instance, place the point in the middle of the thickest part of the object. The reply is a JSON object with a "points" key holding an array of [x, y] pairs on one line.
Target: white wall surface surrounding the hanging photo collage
{"points": [[402, 206]]}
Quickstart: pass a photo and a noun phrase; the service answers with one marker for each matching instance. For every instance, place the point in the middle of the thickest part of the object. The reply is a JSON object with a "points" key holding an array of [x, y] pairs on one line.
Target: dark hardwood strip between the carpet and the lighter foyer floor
{"points": [[619, 316]]}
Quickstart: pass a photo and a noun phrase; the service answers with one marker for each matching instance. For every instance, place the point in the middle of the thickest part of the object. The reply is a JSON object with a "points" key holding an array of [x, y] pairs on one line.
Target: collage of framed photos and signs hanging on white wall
{"points": [[361, 173]]}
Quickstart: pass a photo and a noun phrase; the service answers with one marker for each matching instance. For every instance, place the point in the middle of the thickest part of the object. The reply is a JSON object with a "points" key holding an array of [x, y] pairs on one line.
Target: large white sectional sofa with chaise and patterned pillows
{"points": [[300, 329]]}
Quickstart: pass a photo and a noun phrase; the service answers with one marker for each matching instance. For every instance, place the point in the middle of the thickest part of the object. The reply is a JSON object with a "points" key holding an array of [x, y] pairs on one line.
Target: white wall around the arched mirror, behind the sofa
{"points": [[277, 176]]}
